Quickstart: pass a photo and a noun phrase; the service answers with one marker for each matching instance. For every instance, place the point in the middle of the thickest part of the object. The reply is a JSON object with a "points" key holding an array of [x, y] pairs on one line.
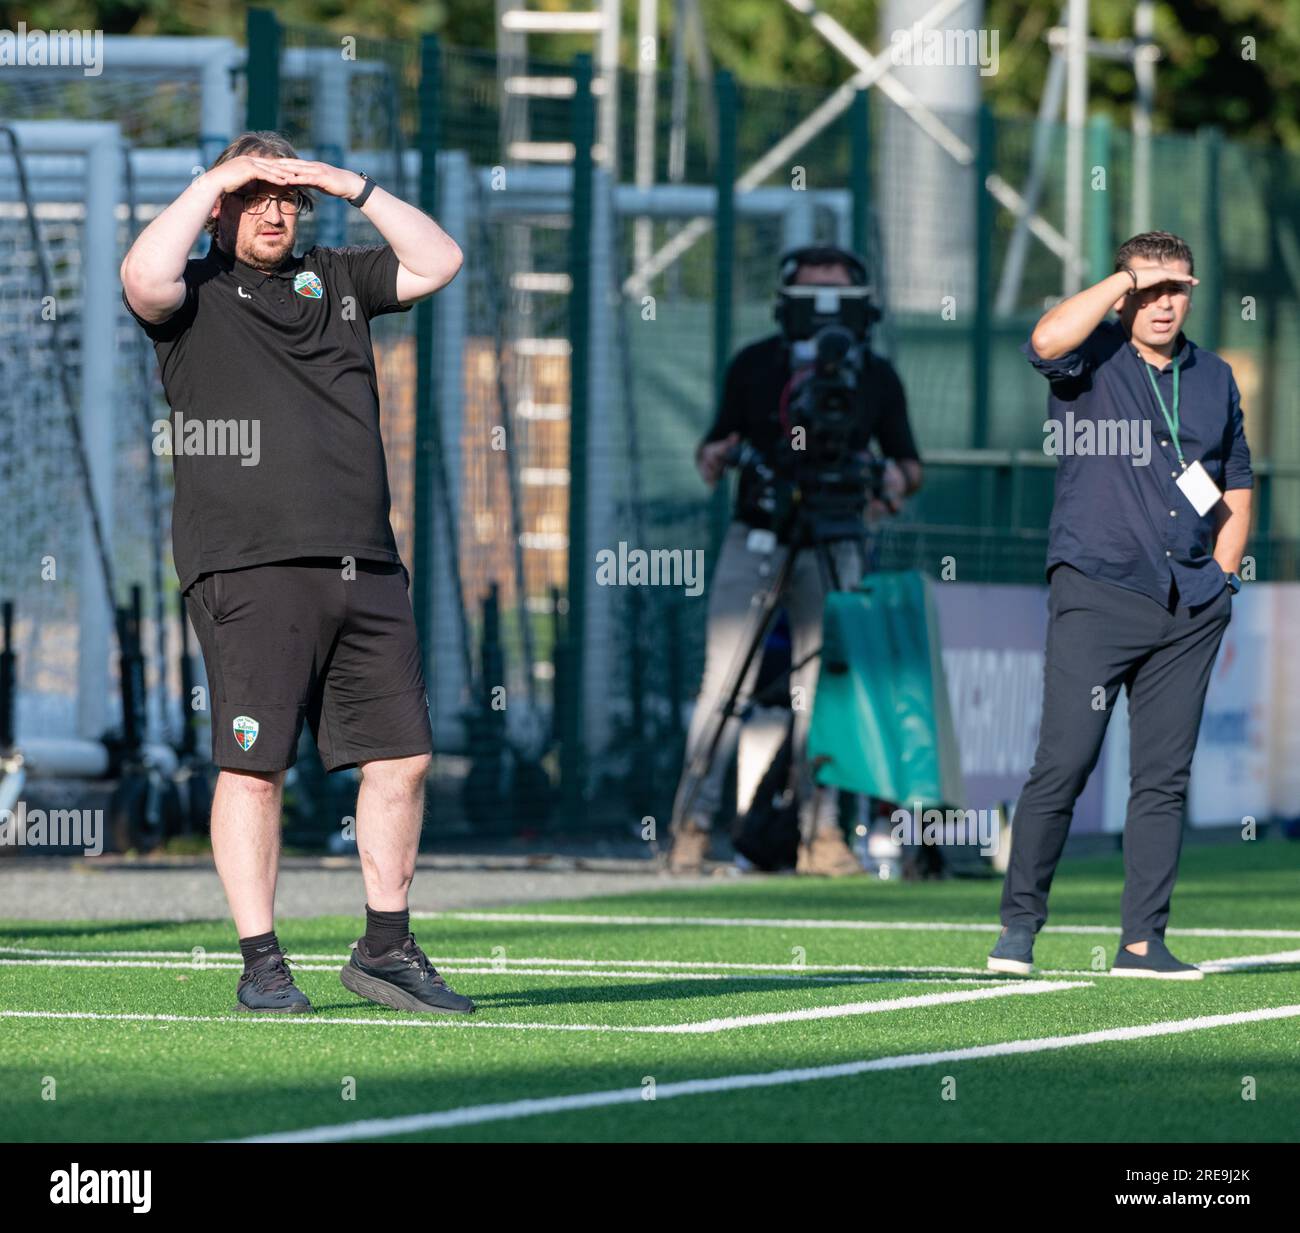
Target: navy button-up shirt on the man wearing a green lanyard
{"points": [[1120, 521]]}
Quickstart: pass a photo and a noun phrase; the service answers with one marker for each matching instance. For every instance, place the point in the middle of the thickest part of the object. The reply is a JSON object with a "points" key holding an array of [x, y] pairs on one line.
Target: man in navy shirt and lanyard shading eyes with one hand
{"points": [[1146, 542]]}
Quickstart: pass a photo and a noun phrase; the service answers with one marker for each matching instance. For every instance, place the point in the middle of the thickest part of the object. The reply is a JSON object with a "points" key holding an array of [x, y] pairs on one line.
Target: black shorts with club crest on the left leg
{"points": [[302, 641]]}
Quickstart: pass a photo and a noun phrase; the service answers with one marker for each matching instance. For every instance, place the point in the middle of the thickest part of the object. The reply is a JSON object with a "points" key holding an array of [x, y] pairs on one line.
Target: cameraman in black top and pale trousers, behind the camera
{"points": [[756, 399]]}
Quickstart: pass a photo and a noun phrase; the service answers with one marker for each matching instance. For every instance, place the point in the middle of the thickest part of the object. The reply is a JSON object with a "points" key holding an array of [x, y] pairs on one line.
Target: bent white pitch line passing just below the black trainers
{"points": [[712, 1026]]}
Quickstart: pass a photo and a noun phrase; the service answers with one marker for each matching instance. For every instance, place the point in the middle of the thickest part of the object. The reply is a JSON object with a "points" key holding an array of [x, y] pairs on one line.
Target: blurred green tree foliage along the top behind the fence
{"points": [[1228, 63]]}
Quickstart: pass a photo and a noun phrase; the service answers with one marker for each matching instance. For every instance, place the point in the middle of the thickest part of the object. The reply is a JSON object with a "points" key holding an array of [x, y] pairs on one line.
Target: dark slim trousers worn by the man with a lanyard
{"points": [[1100, 638]]}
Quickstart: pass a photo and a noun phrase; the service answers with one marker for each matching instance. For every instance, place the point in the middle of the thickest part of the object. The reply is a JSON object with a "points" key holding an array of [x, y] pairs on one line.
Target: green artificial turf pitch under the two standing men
{"points": [[239, 1078]]}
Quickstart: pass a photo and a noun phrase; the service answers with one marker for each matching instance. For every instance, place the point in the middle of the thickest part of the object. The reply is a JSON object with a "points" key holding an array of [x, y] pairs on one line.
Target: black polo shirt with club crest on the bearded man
{"points": [[279, 374]]}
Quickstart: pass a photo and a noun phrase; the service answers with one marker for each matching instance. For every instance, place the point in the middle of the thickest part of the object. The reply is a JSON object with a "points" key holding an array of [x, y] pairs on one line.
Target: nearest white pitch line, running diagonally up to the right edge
{"points": [[506, 1111]]}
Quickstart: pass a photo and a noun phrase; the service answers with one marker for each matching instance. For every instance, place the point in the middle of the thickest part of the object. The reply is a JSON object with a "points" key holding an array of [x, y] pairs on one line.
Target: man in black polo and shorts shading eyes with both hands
{"points": [[281, 533]]}
